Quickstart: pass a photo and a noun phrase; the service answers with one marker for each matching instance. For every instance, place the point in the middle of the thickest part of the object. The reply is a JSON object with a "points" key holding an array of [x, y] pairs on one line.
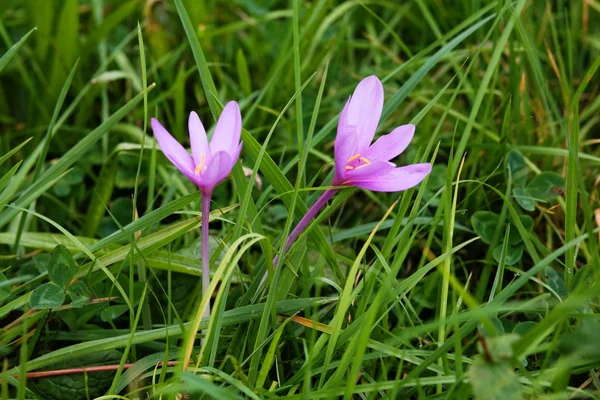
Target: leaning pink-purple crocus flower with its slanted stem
{"points": [[360, 163]]}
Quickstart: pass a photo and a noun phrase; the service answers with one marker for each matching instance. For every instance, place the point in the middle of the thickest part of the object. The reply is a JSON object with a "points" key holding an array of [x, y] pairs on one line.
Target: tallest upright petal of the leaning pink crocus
{"points": [[365, 110]]}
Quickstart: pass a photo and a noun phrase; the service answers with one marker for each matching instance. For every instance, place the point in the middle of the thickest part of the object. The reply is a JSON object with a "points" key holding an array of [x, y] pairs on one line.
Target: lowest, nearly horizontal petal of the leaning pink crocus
{"points": [[399, 179]]}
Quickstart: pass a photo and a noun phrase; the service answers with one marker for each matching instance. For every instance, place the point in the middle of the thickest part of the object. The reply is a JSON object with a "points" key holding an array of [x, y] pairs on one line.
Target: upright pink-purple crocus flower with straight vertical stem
{"points": [[208, 165]]}
